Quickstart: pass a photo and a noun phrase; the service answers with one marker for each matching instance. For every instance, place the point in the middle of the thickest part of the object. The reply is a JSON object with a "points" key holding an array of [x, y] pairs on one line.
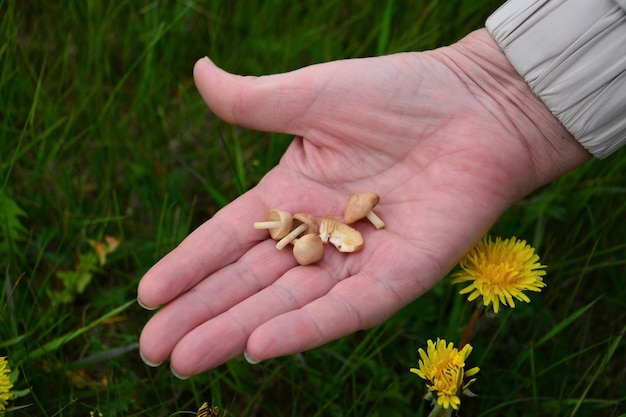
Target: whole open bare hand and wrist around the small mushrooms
{"points": [[448, 138]]}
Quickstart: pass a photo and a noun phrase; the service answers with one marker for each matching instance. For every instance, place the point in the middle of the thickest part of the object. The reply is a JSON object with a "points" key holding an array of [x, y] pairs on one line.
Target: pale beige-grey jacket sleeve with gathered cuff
{"points": [[572, 54]]}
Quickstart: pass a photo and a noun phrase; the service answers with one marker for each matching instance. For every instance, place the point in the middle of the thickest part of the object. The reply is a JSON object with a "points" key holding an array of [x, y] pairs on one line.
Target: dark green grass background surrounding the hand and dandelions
{"points": [[103, 134]]}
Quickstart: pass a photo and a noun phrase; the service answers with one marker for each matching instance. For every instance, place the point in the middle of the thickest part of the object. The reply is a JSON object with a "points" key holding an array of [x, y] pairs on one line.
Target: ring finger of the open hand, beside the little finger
{"points": [[224, 337]]}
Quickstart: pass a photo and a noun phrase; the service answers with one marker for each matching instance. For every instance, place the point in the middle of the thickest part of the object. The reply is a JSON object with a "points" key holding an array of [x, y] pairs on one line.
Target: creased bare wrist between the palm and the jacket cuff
{"points": [[551, 148]]}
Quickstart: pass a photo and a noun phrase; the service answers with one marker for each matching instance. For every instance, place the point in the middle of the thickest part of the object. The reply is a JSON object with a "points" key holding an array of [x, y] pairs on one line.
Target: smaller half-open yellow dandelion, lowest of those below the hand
{"points": [[443, 368]]}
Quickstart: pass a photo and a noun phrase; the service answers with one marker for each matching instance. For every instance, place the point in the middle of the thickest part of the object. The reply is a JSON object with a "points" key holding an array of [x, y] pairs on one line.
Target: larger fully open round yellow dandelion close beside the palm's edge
{"points": [[500, 271]]}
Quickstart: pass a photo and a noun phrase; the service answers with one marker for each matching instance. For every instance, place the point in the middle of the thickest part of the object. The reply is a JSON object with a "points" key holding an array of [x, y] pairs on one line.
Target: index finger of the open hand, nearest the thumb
{"points": [[215, 244]]}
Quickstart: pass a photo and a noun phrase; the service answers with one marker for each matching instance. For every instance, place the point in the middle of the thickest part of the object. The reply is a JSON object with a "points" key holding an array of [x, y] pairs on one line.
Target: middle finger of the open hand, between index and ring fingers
{"points": [[255, 270]]}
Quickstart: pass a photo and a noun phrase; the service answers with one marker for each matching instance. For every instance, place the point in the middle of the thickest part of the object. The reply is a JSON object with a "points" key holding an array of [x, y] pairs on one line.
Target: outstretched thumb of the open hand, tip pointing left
{"points": [[272, 103]]}
